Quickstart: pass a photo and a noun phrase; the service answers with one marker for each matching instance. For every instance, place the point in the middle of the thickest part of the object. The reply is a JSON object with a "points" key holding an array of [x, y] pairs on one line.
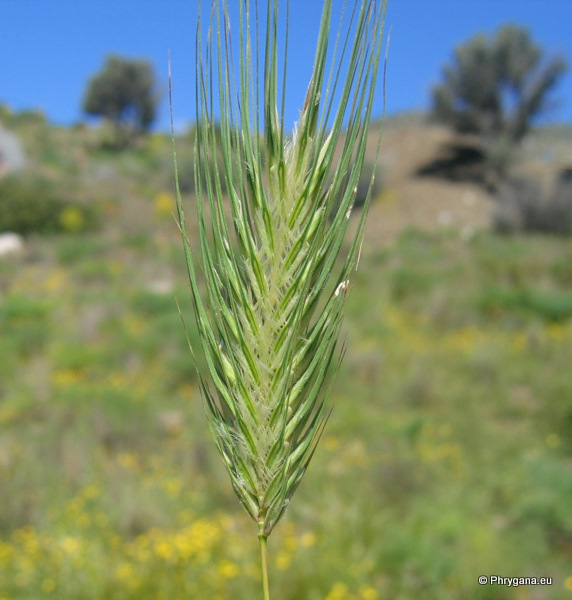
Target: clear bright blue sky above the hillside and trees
{"points": [[50, 48]]}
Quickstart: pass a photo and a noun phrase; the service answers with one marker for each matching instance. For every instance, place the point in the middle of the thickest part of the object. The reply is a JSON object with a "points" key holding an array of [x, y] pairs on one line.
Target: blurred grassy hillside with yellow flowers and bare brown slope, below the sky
{"points": [[447, 455]]}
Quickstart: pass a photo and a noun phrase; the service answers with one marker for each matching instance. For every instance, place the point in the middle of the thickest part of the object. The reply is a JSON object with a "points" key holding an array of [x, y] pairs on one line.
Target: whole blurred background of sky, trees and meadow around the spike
{"points": [[448, 454]]}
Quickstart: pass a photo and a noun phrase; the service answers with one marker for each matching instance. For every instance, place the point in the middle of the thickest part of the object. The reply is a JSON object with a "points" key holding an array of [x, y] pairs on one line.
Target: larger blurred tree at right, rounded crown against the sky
{"points": [[495, 87]]}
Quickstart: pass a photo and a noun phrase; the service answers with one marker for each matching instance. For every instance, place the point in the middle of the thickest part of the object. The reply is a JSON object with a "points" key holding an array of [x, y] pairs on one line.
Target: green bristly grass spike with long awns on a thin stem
{"points": [[267, 284]]}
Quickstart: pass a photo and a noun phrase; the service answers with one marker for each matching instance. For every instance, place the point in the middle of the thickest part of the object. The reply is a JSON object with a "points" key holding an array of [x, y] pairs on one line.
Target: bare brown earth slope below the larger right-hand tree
{"points": [[429, 202]]}
